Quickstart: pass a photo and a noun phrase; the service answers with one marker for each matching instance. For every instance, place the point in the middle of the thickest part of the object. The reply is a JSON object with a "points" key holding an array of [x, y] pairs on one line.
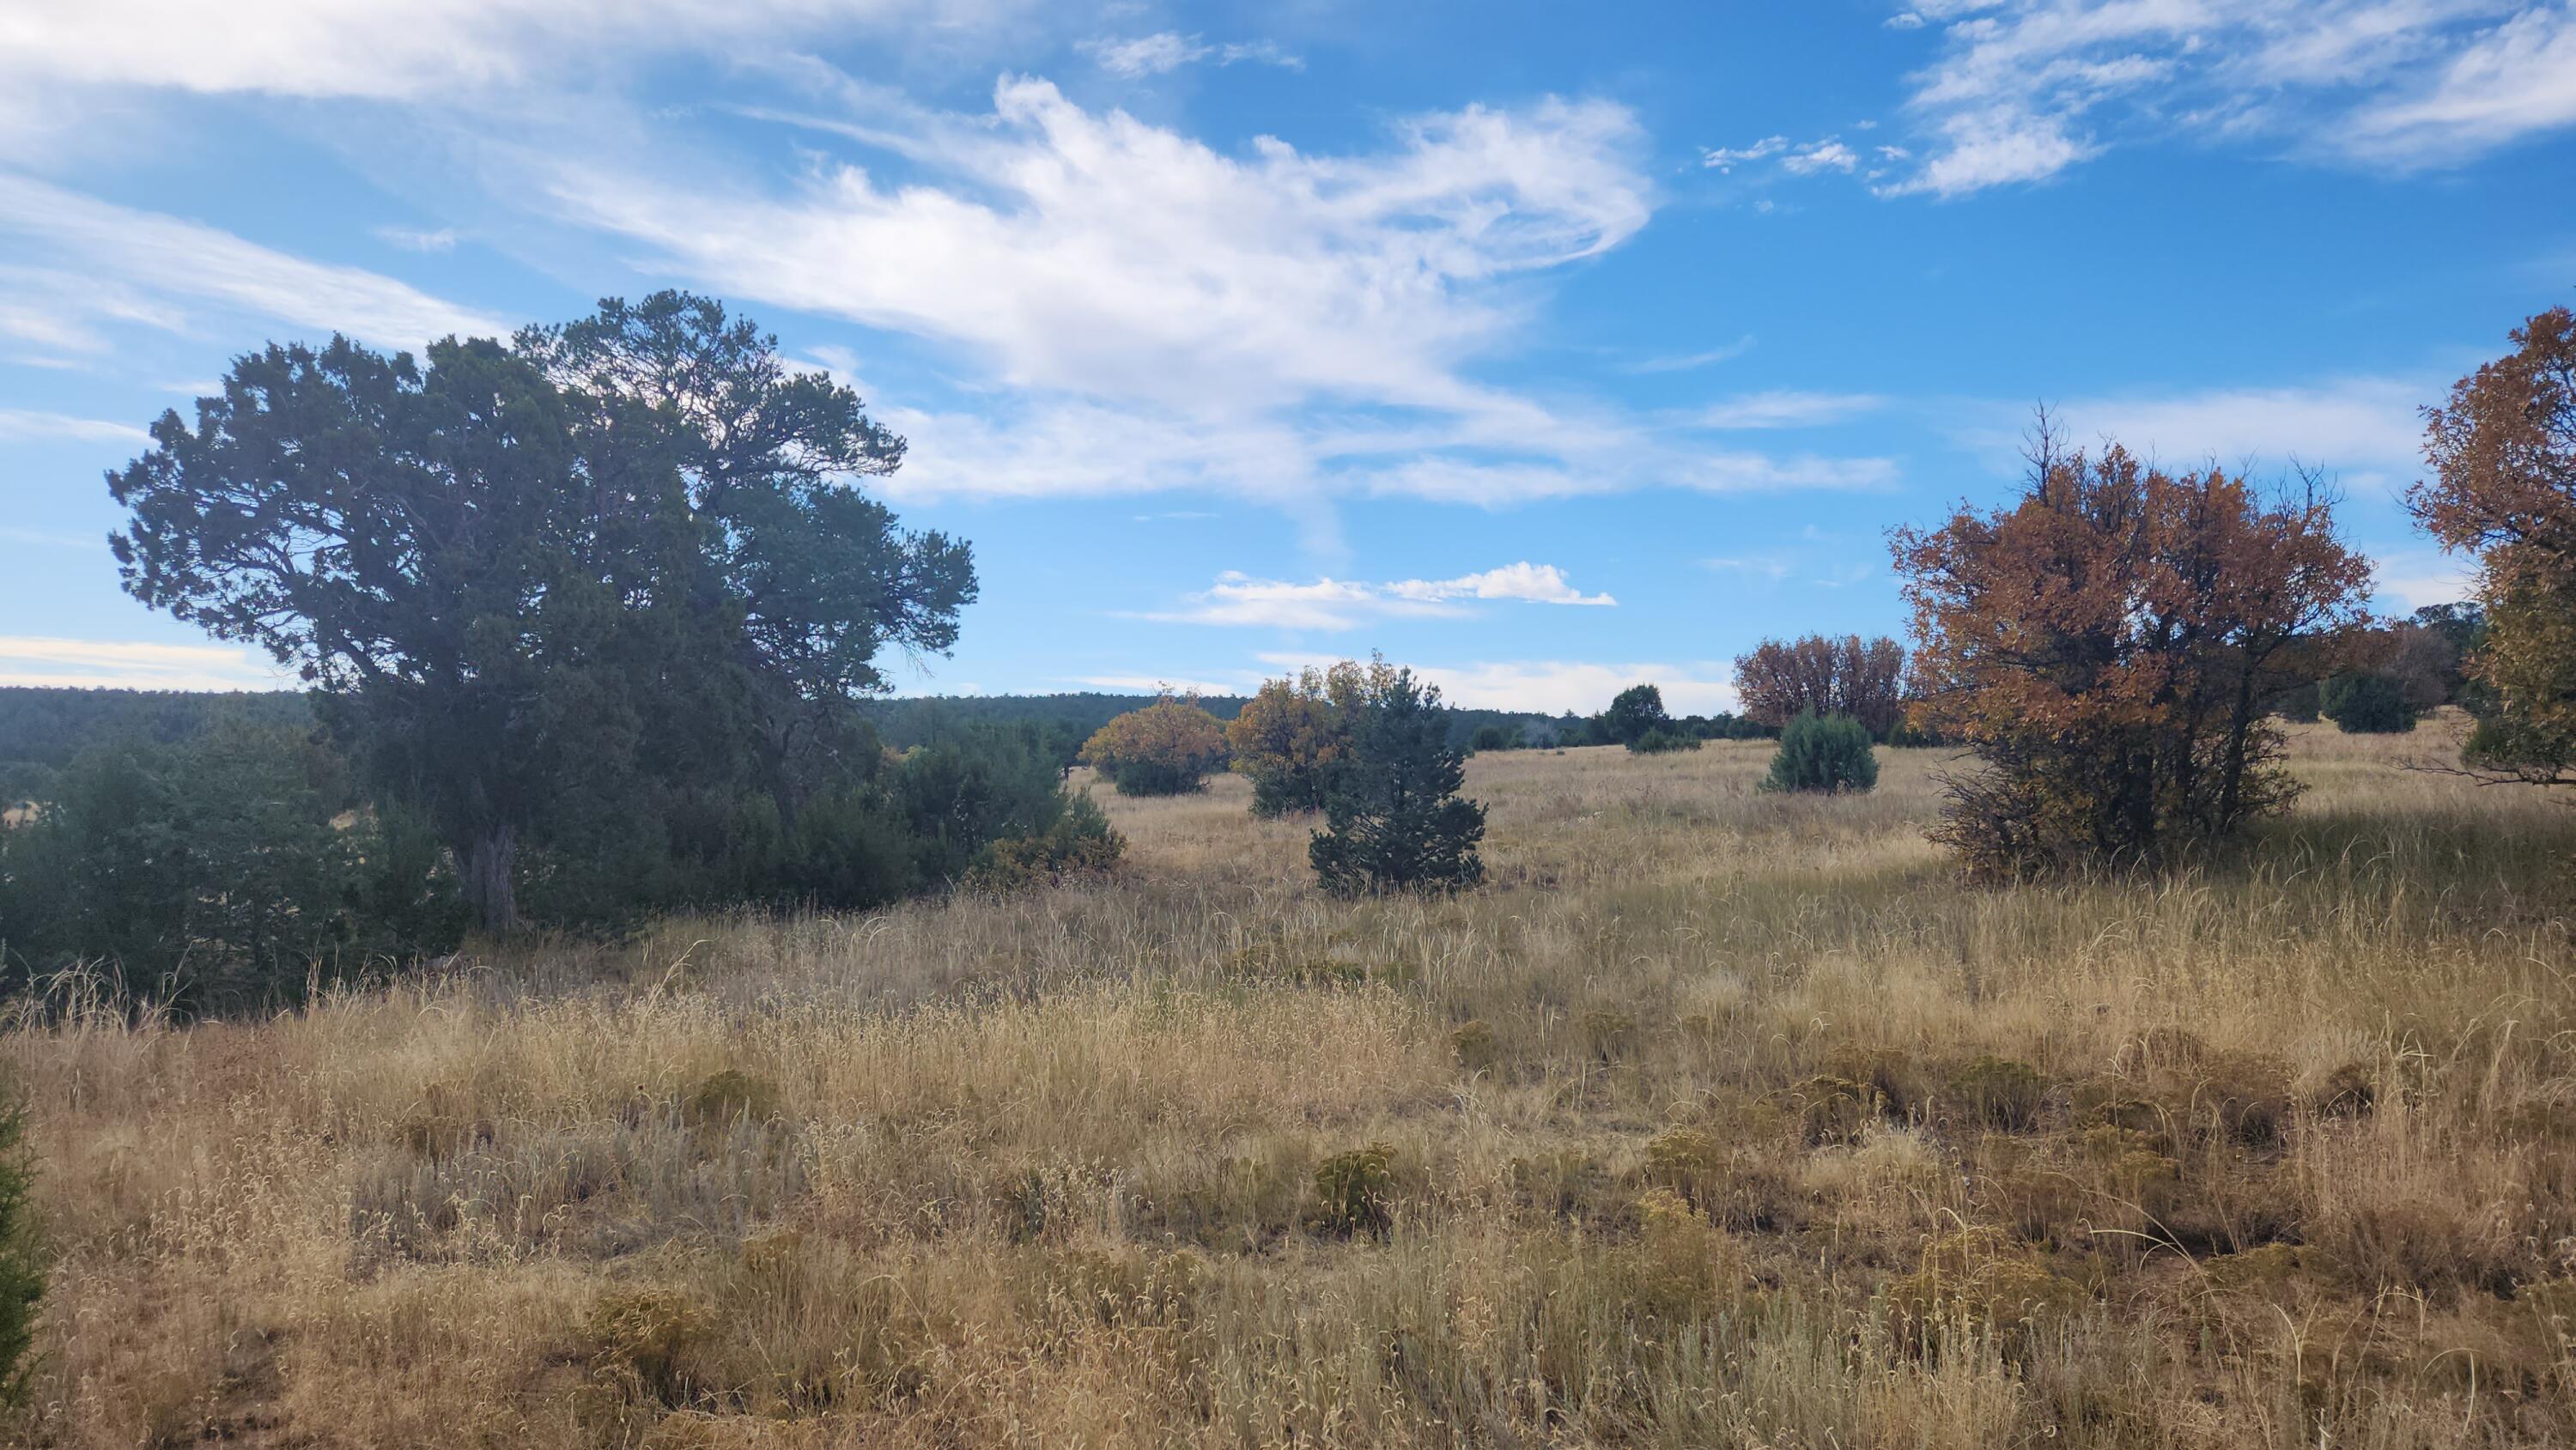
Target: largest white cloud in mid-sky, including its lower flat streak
{"points": [[1318, 344]]}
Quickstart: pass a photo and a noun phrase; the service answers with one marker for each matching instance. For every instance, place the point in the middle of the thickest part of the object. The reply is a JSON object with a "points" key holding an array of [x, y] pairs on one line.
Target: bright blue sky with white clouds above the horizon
{"points": [[1547, 349]]}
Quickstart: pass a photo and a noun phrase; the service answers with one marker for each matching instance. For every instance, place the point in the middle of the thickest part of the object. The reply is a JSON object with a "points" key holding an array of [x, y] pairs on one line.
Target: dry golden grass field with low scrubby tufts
{"points": [[1714, 1119]]}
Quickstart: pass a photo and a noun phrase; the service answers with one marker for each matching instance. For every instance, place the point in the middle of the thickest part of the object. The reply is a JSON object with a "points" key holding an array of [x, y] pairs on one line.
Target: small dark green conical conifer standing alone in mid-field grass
{"points": [[1395, 818]]}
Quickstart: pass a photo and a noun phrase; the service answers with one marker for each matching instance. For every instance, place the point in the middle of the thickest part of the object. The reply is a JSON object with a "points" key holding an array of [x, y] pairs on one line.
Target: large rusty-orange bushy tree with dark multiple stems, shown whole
{"points": [[2108, 648]]}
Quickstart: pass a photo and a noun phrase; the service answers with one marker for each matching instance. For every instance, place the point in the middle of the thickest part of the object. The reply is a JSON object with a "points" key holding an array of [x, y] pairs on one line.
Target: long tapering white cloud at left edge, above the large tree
{"points": [[91, 261]]}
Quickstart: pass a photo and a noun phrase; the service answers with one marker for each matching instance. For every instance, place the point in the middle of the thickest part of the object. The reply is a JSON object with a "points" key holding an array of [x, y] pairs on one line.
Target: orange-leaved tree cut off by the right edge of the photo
{"points": [[2505, 488]]}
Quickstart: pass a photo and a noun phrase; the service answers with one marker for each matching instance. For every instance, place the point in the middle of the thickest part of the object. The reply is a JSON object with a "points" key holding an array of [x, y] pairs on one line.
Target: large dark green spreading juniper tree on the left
{"points": [[553, 588]]}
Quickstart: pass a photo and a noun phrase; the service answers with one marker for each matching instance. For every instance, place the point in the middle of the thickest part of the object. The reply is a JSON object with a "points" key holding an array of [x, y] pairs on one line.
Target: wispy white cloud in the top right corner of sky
{"points": [[2023, 86]]}
